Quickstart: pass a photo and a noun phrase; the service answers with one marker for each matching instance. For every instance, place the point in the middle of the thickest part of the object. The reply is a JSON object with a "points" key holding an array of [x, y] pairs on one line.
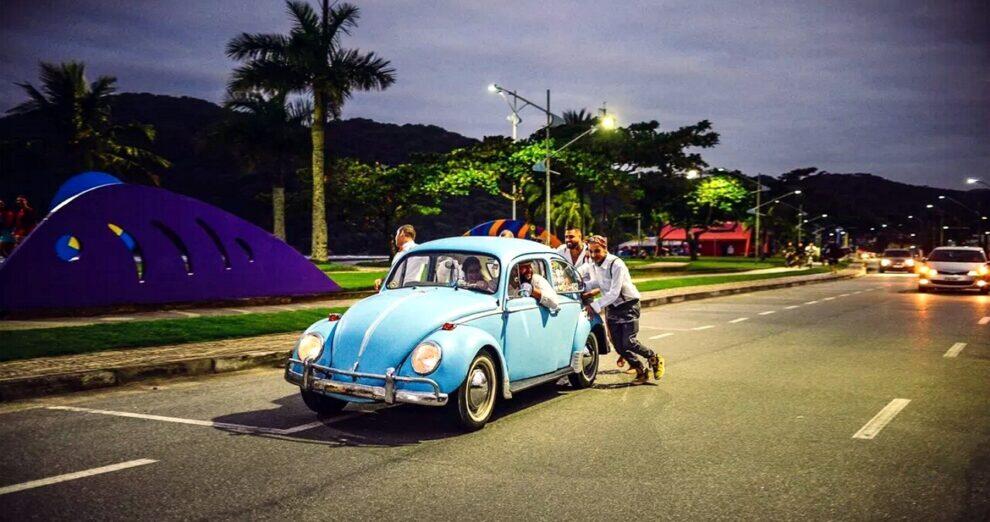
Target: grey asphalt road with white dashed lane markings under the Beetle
{"points": [[767, 417]]}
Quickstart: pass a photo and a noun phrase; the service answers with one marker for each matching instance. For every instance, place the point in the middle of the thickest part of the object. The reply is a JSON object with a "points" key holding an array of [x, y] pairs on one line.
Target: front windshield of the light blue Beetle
{"points": [[467, 270]]}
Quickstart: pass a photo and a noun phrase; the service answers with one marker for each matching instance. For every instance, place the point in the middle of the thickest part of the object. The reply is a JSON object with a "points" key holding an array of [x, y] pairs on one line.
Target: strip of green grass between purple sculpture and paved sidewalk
{"points": [[23, 344]]}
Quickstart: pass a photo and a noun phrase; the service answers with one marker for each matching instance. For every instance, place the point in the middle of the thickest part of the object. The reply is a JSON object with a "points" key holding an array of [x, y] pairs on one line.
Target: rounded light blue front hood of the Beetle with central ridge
{"points": [[380, 331]]}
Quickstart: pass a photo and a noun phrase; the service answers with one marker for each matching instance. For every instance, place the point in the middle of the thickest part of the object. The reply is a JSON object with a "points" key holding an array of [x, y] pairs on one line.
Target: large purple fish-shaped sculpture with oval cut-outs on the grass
{"points": [[131, 244]]}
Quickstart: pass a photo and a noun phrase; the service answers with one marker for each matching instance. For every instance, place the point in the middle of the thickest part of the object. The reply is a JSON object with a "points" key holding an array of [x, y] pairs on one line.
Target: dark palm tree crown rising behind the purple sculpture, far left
{"points": [[87, 138]]}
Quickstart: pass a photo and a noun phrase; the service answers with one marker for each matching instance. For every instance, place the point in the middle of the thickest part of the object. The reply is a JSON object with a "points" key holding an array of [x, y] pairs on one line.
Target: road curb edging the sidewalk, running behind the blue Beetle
{"points": [[27, 387]]}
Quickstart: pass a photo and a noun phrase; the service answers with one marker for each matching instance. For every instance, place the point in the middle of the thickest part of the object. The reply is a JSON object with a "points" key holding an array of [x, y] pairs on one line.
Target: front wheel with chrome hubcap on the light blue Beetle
{"points": [[474, 401]]}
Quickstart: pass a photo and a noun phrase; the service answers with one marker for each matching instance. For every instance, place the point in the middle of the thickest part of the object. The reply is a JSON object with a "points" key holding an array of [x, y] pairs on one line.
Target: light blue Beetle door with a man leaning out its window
{"points": [[527, 345]]}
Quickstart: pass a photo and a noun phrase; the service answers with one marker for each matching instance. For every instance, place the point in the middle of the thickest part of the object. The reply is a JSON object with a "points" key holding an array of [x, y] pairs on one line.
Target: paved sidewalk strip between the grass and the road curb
{"points": [[49, 375]]}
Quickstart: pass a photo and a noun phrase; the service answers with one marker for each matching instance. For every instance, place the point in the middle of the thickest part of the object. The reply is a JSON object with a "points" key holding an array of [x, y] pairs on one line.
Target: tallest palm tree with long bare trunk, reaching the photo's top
{"points": [[310, 60]]}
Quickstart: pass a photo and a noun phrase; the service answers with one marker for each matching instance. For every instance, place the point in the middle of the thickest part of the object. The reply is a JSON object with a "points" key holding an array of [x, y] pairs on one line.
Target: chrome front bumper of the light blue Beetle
{"points": [[386, 393]]}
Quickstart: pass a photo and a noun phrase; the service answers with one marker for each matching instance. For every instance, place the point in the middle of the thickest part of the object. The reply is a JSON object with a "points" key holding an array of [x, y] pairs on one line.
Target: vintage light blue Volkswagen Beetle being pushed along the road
{"points": [[452, 326]]}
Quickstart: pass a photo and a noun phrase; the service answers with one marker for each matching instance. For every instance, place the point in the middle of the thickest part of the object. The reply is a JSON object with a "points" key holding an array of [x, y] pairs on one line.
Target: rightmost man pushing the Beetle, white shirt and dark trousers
{"points": [[620, 300]]}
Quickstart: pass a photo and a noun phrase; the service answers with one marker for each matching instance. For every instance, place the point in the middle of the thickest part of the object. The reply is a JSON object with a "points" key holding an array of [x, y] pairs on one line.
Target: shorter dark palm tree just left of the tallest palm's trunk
{"points": [[266, 134]]}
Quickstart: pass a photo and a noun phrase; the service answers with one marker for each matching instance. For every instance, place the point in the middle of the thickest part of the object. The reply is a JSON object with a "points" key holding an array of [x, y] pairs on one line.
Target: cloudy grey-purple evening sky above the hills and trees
{"points": [[899, 88]]}
